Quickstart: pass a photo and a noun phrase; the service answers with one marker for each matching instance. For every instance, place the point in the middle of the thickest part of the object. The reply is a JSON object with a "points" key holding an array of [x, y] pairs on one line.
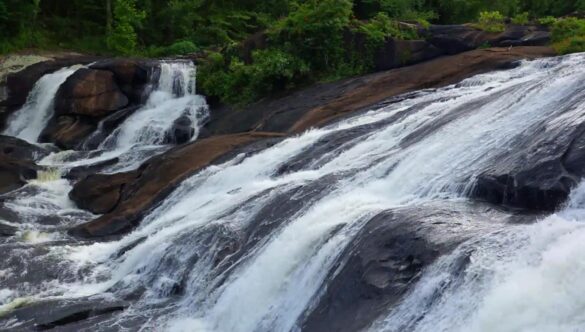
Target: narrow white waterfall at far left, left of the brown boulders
{"points": [[28, 122]]}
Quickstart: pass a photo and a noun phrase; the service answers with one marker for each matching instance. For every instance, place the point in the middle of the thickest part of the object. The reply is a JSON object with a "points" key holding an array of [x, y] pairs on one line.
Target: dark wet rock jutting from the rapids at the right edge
{"points": [[539, 172]]}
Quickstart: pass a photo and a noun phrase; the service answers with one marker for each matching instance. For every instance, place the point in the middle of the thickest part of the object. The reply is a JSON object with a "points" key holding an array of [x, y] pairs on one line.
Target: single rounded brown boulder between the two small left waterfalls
{"points": [[90, 92]]}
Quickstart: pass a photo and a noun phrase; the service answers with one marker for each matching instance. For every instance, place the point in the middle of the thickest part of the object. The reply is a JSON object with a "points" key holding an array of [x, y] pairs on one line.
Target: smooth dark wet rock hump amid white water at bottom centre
{"points": [[387, 258]]}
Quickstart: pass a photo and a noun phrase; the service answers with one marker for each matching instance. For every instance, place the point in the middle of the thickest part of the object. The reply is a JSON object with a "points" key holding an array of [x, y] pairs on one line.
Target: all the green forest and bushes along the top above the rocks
{"points": [[303, 40]]}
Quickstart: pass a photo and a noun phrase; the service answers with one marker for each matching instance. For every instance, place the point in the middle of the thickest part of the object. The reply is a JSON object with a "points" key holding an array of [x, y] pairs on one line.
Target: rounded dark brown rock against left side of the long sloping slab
{"points": [[100, 193]]}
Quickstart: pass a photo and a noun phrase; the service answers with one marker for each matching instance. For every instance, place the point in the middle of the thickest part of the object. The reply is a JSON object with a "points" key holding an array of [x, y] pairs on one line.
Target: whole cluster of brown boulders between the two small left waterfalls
{"points": [[109, 90]]}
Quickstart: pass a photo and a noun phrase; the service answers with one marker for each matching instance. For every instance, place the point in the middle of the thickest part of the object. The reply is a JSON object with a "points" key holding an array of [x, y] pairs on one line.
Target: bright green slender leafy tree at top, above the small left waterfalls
{"points": [[123, 39]]}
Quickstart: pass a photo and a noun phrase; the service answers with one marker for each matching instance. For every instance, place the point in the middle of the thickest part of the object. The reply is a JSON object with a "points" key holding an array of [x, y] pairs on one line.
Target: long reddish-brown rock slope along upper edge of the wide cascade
{"points": [[372, 89]]}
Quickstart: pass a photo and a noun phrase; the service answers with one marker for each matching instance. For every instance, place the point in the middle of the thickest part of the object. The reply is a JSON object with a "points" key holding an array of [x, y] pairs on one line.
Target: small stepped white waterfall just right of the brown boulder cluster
{"points": [[149, 130]]}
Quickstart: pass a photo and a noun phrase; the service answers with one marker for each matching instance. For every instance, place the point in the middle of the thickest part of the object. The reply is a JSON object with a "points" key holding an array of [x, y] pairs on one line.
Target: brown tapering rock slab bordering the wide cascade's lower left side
{"points": [[156, 178]]}
